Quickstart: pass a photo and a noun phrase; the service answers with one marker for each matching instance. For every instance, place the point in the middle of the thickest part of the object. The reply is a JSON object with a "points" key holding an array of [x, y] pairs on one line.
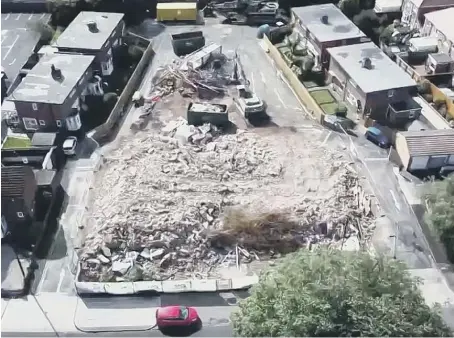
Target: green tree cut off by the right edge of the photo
{"points": [[440, 199]]}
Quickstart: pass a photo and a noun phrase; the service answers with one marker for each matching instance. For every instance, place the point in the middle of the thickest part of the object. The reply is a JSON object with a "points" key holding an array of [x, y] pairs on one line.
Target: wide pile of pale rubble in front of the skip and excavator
{"points": [[166, 207]]}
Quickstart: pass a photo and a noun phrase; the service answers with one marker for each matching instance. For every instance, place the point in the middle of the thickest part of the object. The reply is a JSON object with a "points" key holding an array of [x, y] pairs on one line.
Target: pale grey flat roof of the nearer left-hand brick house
{"points": [[39, 86]]}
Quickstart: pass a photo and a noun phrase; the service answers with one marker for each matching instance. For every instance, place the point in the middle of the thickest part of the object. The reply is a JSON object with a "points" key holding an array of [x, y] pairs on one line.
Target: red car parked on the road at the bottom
{"points": [[176, 316]]}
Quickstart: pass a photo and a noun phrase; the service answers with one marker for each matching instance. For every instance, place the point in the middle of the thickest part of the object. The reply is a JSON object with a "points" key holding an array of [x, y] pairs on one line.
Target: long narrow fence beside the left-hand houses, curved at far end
{"points": [[104, 130]]}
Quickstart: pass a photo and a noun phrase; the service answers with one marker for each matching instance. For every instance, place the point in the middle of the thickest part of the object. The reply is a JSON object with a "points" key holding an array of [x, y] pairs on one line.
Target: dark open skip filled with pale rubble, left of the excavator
{"points": [[199, 113]]}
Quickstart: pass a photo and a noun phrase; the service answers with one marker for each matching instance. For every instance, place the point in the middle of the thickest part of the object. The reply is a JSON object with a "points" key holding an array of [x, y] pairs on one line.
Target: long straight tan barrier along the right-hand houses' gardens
{"points": [[301, 92]]}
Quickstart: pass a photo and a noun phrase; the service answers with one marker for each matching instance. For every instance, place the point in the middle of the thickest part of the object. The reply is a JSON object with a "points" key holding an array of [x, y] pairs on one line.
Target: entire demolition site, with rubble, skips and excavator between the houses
{"points": [[208, 182]]}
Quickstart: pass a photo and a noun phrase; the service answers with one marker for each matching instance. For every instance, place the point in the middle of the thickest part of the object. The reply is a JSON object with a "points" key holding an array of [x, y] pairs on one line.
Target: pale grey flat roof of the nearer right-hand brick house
{"points": [[384, 75]]}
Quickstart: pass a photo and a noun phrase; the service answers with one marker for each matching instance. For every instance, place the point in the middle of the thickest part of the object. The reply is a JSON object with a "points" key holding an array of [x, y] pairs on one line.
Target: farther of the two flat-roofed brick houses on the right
{"points": [[325, 26]]}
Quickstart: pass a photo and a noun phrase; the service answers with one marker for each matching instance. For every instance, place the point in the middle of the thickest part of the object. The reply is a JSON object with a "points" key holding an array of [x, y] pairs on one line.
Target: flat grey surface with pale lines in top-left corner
{"points": [[18, 40]]}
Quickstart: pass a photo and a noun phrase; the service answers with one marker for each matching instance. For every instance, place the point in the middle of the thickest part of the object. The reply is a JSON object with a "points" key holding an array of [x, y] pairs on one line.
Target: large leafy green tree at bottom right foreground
{"points": [[331, 293]]}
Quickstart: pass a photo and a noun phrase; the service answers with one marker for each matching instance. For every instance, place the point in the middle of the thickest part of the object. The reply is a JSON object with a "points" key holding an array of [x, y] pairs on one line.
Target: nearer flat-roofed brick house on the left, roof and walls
{"points": [[47, 99]]}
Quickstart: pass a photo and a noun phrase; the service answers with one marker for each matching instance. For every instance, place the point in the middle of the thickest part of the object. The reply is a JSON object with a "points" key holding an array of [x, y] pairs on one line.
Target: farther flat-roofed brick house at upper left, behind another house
{"points": [[93, 33]]}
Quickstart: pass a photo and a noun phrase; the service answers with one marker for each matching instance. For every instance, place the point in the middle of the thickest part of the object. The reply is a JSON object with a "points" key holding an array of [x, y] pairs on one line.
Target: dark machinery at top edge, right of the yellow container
{"points": [[251, 12]]}
